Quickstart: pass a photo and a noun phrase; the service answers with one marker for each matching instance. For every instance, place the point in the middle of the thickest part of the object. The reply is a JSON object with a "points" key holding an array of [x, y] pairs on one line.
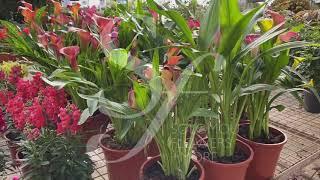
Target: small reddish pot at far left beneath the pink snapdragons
{"points": [[12, 144]]}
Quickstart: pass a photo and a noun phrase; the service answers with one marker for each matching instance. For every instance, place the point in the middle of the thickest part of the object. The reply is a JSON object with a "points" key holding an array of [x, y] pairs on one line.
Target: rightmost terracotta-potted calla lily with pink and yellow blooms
{"points": [[266, 142]]}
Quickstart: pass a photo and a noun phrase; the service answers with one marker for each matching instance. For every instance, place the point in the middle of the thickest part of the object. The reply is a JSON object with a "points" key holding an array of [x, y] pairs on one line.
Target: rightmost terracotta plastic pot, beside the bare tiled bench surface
{"points": [[265, 157]]}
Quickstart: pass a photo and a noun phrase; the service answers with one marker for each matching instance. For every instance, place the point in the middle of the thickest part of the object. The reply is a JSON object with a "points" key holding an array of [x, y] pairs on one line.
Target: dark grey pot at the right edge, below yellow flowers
{"points": [[310, 102]]}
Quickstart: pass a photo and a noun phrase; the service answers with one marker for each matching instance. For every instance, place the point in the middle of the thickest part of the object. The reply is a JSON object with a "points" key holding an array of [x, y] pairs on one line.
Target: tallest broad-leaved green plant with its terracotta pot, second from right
{"points": [[226, 66]]}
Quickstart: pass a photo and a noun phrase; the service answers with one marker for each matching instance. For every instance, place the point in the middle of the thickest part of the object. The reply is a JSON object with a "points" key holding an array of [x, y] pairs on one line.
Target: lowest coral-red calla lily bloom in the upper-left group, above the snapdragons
{"points": [[71, 54]]}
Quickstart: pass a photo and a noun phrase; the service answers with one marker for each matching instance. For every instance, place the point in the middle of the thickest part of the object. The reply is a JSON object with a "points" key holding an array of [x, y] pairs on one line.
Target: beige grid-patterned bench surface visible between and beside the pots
{"points": [[302, 148]]}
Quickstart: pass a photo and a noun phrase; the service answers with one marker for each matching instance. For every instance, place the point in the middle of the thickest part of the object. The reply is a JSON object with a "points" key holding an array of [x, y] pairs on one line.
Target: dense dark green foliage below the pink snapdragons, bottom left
{"points": [[54, 156]]}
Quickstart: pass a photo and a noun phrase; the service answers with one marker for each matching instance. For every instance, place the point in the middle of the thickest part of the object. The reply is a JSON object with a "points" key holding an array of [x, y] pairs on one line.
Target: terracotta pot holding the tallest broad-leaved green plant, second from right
{"points": [[221, 171]]}
